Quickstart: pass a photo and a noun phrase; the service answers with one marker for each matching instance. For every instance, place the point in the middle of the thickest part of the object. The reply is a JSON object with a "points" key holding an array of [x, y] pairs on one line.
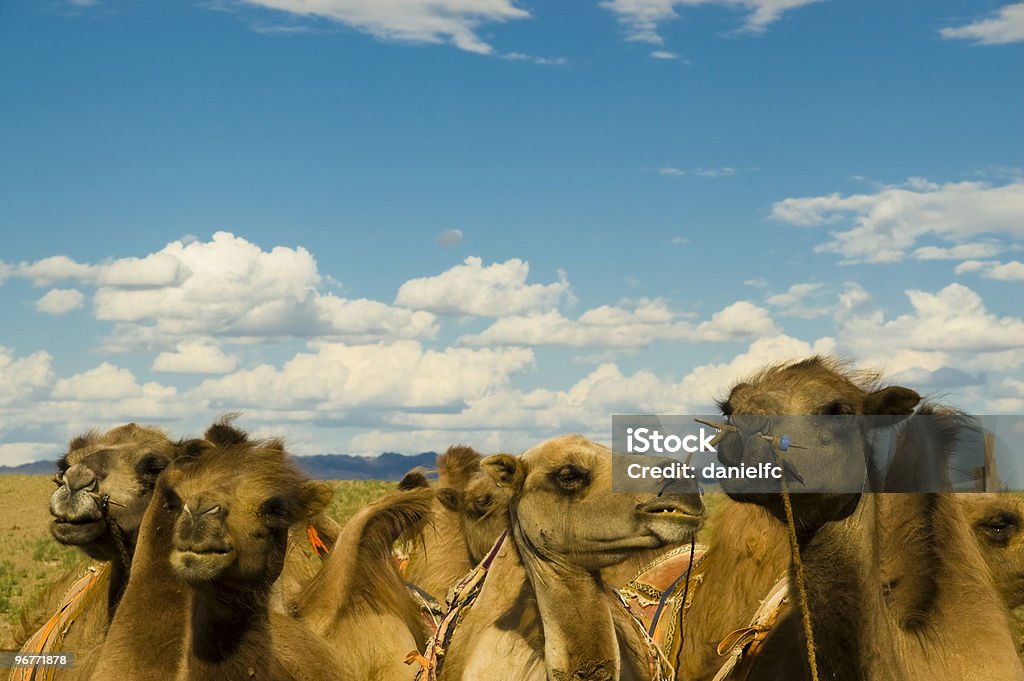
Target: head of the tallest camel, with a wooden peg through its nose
{"points": [[822, 407]]}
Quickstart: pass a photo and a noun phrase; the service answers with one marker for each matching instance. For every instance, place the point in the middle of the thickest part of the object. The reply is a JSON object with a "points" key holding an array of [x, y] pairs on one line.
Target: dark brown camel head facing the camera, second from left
{"points": [[234, 507]]}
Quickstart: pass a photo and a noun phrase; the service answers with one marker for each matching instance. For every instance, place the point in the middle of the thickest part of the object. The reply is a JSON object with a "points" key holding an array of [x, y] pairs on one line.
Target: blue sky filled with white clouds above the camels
{"points": [[397, 226]]}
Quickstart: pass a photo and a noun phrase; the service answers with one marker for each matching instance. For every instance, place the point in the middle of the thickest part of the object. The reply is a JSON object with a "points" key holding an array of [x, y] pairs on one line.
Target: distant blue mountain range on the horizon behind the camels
{"points": [[389, 466]]}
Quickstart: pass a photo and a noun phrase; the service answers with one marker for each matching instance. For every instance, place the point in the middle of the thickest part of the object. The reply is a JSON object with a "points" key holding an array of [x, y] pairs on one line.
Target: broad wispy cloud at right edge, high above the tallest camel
{"points": [[883, 227]]}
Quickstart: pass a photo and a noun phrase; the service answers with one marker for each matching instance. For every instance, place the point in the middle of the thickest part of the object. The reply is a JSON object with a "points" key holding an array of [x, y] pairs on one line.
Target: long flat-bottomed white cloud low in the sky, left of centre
{"points": [[398, 375]]}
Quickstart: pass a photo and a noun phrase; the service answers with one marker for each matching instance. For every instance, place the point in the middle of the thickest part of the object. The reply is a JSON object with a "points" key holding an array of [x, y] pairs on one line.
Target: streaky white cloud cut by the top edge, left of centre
{"points": [[452, 22]]}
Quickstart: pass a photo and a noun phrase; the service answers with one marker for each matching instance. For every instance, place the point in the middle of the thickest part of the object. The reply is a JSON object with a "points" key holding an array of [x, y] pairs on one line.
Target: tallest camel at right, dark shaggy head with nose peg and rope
{"points": [[883, 601]]}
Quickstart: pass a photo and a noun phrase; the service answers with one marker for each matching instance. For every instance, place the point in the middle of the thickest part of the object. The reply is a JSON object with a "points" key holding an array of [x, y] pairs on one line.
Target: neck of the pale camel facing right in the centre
{"points": [[580, 640]]}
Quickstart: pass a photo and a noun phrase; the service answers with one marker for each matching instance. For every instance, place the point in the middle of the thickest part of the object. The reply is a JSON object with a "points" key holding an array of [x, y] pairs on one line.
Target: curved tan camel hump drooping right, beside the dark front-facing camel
{"points": [[359, 602]]}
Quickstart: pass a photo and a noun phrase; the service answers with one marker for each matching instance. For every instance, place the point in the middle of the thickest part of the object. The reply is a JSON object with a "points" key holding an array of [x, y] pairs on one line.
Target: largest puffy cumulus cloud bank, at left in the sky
{"points": [[227, 287]]}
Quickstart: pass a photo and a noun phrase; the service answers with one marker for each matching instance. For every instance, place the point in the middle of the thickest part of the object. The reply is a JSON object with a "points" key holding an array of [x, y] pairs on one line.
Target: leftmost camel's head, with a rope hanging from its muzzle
{"points": [[112, 474]]}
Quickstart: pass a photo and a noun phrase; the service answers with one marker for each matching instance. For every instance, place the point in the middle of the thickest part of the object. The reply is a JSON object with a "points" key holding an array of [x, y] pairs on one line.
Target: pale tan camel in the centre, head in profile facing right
{"points": [[543, 612]]}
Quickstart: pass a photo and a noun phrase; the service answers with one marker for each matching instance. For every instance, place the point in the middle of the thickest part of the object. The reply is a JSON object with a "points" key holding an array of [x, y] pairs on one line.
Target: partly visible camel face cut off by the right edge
{"points": [[997, 522]]}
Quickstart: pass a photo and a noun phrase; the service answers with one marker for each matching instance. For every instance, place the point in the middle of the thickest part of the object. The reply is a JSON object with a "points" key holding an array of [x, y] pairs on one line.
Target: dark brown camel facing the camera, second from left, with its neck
{"points": [[155, 586]]}
